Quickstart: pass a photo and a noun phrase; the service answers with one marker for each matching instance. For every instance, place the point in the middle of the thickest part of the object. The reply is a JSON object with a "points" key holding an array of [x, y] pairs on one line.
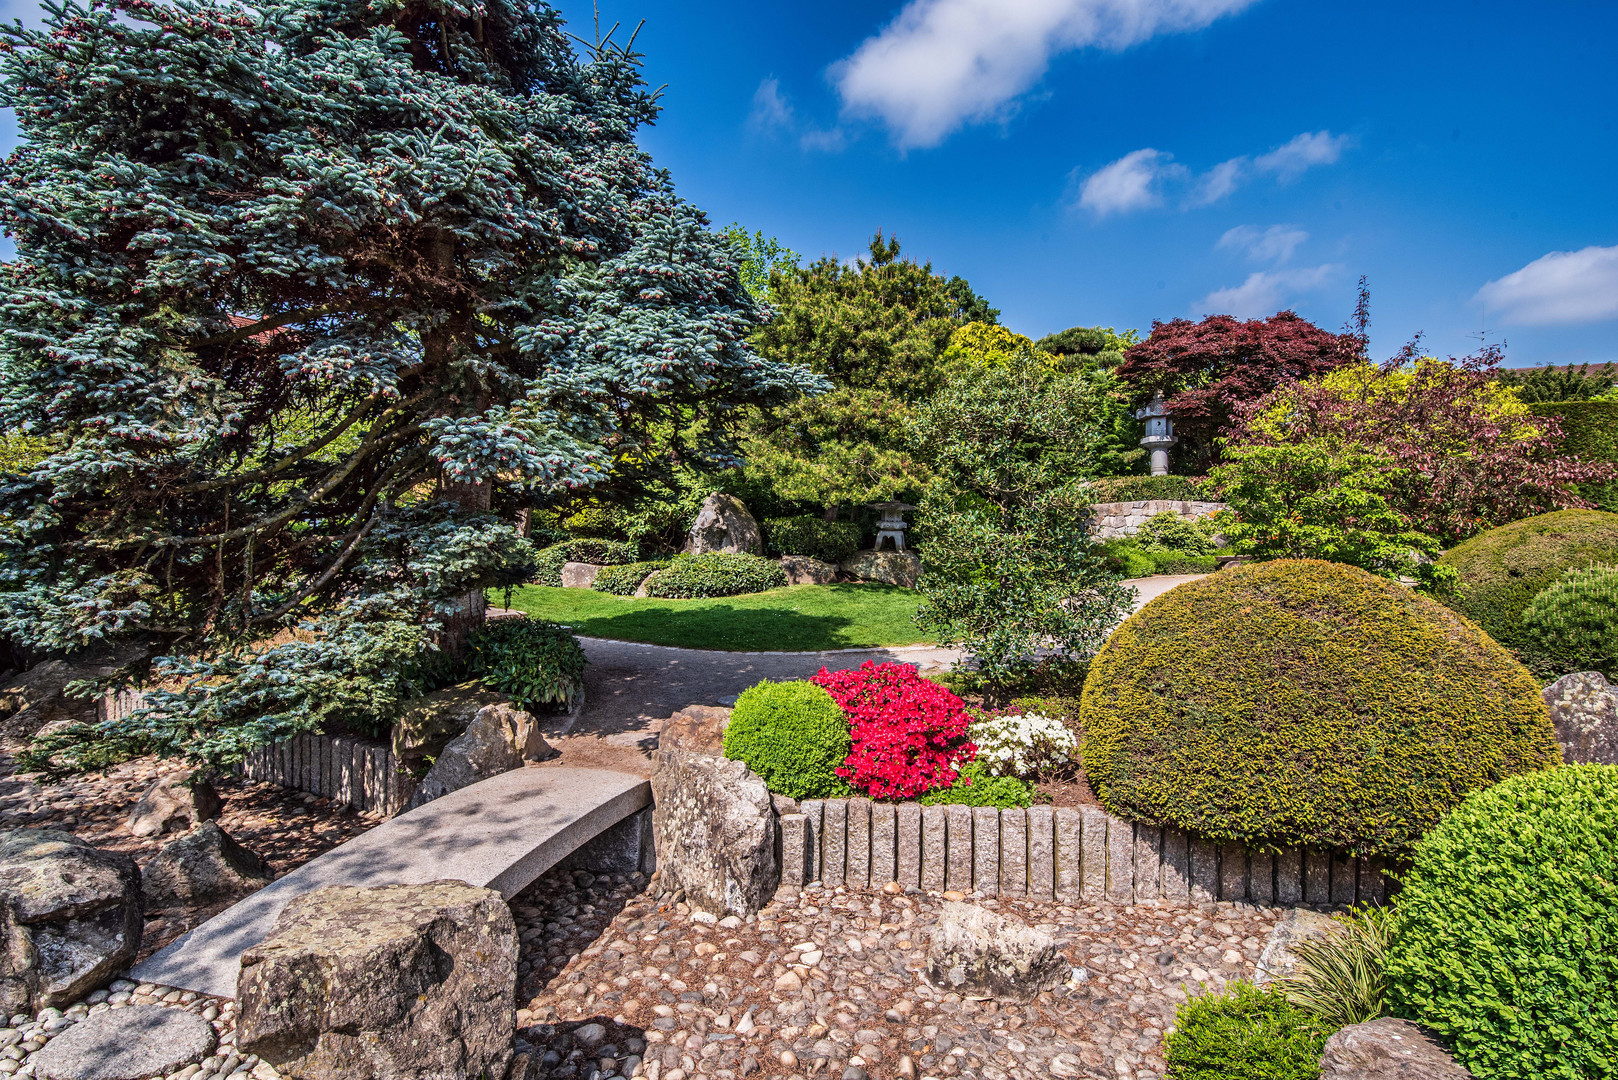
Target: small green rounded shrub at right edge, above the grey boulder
{"points": [[1574, 626]]}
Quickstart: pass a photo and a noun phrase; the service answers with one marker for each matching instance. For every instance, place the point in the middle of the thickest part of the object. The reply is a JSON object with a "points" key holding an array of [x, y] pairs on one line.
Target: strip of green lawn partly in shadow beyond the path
{"points": [[802, 618]]}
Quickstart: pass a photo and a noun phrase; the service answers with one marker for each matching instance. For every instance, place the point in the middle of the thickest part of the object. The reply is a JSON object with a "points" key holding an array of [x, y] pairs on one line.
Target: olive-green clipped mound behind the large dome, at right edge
{"points": [[1502, 571]]}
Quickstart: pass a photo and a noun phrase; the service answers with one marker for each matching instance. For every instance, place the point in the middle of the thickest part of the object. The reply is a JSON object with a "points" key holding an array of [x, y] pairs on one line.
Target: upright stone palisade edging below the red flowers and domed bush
{"points": [[1072, 856]]}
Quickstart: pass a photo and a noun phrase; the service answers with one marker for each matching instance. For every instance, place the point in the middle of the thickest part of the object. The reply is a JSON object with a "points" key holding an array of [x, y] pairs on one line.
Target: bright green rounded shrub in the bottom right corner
{"points": [[1507, 940]]}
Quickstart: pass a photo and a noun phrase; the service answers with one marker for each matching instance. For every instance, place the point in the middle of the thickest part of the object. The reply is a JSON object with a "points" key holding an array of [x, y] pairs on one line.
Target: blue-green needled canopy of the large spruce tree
{"points": [[287, 276]]}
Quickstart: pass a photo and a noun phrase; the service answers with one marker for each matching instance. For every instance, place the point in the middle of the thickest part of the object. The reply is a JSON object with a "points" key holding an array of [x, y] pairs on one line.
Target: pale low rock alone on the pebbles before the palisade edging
{"points": [[986, 955]]}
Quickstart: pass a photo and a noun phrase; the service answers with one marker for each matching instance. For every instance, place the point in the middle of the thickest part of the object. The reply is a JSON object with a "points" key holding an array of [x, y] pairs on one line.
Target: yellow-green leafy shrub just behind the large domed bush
{"points": [[1321, 501]]}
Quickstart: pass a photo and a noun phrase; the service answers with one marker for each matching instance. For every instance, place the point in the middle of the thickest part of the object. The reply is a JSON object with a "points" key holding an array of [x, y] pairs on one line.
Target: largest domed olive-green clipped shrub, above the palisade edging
{"points": [[1303, 702]]}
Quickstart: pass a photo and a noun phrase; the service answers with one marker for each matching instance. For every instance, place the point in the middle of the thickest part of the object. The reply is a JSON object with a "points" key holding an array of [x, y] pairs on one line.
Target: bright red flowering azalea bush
{"points": [[910, 734]]}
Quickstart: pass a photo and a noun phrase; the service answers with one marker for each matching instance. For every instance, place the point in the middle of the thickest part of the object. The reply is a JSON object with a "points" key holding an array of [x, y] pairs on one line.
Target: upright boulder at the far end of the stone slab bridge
{"points": [[716, 831]]}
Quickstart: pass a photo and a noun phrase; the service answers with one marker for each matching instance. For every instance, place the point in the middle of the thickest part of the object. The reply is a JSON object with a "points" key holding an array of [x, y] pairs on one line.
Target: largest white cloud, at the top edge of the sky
{"points": [[942, 64]]}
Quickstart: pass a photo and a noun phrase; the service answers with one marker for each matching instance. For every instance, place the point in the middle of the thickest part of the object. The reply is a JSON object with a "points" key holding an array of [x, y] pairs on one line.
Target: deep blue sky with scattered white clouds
{"points": [[1124, 161]]}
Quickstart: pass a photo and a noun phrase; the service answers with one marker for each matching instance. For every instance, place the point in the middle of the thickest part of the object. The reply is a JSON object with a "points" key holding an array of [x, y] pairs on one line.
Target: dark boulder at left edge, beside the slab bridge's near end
{"points": [[70, 919]]}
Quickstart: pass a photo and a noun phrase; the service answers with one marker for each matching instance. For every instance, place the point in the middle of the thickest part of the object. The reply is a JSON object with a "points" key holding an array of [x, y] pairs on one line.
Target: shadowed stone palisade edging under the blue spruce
{"points": [[354, 772]]}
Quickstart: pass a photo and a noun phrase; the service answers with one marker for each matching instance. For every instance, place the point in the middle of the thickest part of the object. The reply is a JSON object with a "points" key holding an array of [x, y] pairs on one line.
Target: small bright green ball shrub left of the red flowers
{"points": [[794, 736]]}
